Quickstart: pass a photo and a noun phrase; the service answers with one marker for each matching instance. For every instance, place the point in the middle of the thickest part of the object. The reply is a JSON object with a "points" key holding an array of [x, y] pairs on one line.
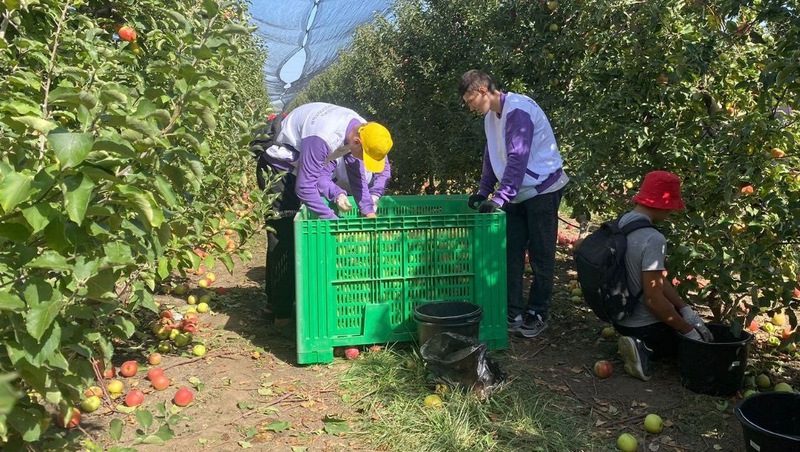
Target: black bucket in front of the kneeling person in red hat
{"points": [[714, 368]]}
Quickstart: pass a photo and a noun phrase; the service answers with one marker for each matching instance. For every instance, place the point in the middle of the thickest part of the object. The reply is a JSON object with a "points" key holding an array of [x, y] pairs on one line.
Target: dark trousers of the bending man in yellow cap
{"points": [[280, 286]]}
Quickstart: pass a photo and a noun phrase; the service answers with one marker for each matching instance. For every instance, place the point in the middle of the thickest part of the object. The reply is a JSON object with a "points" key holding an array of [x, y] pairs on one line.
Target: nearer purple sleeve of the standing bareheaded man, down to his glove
{"points": [[519, 136]]}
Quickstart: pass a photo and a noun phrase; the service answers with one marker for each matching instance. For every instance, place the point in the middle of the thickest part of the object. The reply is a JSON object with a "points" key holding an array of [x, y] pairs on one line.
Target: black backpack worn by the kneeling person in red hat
{"points": [[602, 274]]}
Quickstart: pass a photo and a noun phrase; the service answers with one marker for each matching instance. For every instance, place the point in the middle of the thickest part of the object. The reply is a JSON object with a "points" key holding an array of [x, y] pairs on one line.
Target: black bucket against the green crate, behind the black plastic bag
{"points": [[459, 317]]}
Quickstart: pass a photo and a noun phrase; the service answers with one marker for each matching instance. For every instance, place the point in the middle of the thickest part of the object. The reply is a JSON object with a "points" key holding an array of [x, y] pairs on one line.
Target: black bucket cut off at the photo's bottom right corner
{"points": [[770, 422]]}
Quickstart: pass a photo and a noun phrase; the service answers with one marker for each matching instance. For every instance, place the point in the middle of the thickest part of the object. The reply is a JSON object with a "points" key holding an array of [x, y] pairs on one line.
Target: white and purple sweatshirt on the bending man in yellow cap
{"points": [[315, 130]]}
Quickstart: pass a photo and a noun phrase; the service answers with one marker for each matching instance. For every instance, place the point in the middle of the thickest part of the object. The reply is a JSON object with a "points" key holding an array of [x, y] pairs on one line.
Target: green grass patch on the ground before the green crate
{"points": [[389, 387]]}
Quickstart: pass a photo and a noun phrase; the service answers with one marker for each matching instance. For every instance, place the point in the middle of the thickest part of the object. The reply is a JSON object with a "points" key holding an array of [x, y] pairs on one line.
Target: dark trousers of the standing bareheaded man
{"points": [[532, 226]]}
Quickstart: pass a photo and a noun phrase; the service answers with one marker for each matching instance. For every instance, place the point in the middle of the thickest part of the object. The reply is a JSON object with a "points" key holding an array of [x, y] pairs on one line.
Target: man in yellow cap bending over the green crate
{"points": [[304, 149]]}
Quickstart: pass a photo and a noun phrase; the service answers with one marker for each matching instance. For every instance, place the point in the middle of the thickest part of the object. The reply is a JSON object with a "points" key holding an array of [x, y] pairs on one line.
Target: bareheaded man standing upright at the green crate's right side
{"points": [[522, 155]]}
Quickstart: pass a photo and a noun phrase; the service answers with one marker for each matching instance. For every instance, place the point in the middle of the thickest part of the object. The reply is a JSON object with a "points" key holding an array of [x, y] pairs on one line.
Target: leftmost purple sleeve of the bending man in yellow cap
{"points": [[313, 151]]}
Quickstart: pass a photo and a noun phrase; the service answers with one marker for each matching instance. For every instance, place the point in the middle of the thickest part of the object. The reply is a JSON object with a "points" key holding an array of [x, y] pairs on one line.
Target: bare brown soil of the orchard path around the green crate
{"points": [[253, 395]]}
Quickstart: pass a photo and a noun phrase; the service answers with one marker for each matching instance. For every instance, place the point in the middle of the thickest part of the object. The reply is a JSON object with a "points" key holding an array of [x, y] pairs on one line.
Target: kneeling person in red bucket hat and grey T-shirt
{"points": [[649, 332]]}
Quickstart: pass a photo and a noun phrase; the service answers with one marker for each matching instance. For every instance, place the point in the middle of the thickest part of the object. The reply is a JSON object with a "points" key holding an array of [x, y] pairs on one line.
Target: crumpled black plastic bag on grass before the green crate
{"points": [[458, 360]]}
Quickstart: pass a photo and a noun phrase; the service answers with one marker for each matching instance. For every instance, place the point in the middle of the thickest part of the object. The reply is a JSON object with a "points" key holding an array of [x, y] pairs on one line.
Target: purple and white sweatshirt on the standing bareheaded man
{"points": [[521, 152]]}
